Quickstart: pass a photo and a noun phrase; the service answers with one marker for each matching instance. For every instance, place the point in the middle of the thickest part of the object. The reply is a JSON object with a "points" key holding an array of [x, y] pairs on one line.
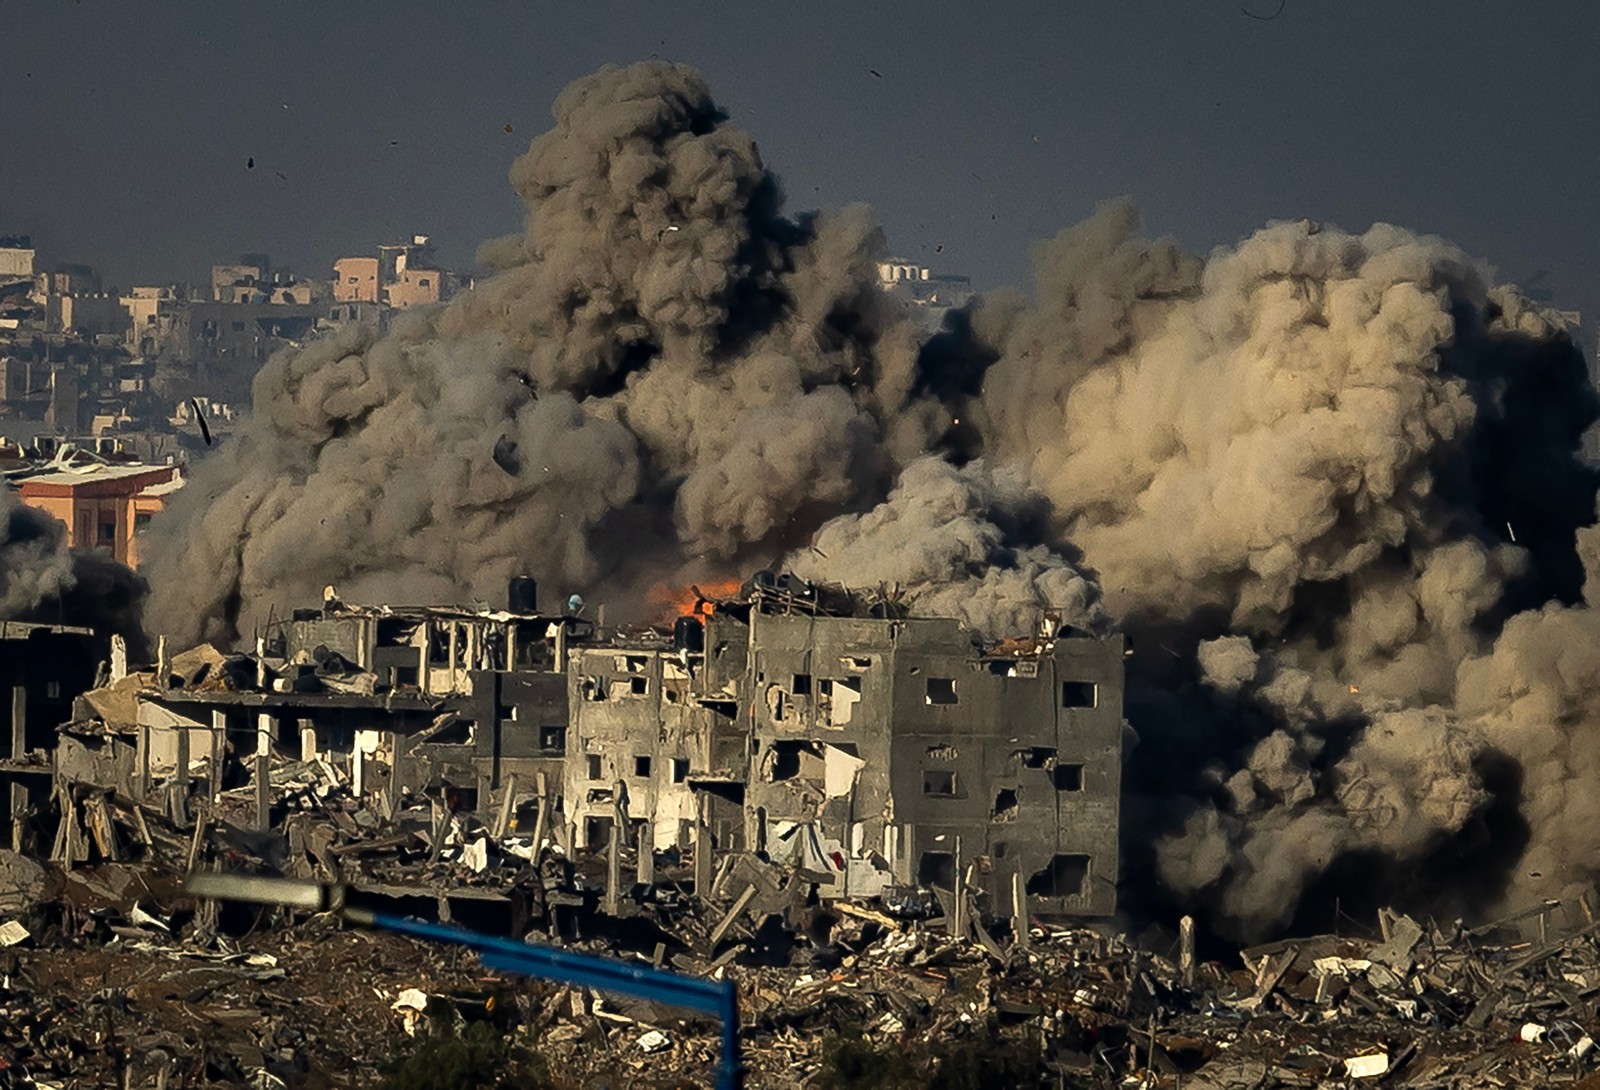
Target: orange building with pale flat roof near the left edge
{"points": [[105, 507]]}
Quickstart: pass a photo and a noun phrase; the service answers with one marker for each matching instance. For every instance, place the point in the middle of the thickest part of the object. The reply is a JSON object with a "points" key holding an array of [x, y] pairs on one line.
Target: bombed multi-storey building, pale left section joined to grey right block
{"points": [[874, 753]]}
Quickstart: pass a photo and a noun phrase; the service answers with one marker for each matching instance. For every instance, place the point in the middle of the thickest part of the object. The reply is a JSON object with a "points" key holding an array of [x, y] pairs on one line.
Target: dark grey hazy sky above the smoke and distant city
{"points": [[126, 127]]}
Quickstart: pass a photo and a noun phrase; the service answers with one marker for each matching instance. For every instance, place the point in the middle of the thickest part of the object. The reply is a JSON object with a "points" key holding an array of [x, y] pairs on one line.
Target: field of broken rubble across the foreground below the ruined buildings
{"points": [[110, 976]]}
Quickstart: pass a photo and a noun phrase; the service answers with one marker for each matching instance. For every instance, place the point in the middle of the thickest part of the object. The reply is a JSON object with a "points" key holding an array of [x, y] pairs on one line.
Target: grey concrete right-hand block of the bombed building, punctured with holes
{"points": [[897, 755]]}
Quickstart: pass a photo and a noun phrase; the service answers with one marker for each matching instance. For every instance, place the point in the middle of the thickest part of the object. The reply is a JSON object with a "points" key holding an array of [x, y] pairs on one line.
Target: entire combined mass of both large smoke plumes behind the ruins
{"points": [[1326, 481]]}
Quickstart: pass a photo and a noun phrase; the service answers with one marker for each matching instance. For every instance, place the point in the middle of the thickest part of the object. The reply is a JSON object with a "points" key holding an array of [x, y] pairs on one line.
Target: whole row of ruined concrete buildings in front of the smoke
{"points": [[871, 753]]}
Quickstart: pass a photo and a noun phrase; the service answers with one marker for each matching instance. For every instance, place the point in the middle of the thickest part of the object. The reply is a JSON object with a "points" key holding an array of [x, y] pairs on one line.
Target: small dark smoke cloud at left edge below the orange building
{"points": [[42, 580]]}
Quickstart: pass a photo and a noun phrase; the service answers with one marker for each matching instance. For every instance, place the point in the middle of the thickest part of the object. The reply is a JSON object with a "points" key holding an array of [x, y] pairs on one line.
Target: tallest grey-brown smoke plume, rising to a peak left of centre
{"points": [[663, 359]]}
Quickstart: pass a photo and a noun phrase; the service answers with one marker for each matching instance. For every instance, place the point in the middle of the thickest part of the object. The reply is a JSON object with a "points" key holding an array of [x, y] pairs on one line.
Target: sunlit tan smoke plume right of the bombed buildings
{"points": [[1314, 475]]}
